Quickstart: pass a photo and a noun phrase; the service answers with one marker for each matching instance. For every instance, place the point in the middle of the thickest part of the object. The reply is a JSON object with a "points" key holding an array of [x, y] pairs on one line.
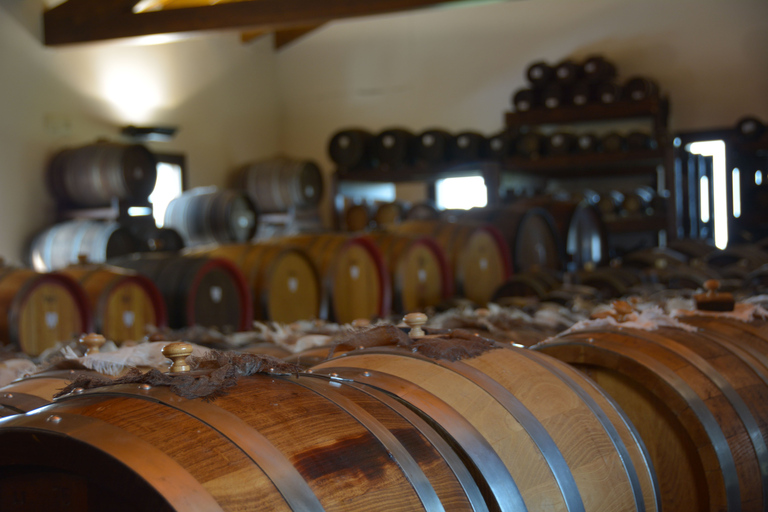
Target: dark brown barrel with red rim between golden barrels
{"points": [[209, 292]]}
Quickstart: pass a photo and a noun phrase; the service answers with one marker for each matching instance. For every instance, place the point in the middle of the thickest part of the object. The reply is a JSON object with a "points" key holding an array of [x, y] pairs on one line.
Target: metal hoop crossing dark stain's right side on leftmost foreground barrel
{"points": [[398, 452]]}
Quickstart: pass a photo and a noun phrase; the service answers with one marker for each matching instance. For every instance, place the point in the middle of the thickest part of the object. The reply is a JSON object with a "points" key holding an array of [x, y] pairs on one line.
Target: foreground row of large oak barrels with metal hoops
{"points": [[614, 416]]}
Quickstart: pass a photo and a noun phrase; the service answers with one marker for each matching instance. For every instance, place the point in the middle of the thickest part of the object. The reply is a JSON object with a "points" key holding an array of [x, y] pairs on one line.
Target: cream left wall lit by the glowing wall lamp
{"points": [[220, 92]]}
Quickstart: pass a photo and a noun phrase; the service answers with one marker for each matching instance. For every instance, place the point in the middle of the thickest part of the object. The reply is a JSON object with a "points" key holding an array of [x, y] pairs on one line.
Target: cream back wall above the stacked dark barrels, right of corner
{"points": [[457, 68]]}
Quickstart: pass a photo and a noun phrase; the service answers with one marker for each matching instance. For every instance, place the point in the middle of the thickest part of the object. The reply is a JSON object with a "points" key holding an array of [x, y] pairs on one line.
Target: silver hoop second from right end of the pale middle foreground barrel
{"points": [[605, 422]]}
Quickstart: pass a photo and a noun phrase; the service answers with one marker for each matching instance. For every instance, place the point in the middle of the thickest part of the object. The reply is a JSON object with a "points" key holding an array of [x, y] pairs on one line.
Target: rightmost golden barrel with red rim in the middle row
{"points": [[476, 253]]}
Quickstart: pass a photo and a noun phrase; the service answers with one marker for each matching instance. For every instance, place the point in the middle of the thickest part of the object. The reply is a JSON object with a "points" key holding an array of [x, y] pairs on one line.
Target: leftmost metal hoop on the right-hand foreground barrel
{"points": [[696, 404]]}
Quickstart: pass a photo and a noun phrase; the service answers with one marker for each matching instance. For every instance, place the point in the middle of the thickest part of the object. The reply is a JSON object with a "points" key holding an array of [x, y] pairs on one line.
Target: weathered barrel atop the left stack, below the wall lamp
{"points": [[92, 175]]}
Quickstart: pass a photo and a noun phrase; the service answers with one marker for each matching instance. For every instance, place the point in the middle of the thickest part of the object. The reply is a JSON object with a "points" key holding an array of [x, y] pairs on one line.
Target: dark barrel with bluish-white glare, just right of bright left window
{"points": [[207, 215]]}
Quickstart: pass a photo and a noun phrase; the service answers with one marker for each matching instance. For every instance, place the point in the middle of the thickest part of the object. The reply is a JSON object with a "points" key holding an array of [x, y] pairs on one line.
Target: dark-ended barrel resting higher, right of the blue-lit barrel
{"points": [[281, 184]]}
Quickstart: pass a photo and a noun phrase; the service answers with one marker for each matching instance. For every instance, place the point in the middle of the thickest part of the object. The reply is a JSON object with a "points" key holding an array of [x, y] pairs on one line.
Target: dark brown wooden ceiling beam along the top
{"points": [[78, 21]]}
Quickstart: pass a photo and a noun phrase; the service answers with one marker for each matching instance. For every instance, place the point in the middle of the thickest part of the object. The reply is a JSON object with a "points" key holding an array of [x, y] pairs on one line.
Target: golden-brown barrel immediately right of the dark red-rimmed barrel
{"points": [[284, 282]]}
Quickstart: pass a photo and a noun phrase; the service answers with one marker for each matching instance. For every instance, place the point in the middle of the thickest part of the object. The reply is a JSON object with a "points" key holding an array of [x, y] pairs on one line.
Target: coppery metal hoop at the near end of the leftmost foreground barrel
{"points": [[159, 470]]}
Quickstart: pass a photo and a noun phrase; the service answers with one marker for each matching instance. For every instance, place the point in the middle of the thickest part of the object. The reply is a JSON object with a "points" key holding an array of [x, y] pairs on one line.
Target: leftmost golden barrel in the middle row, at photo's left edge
{"points": [[39, 310]]}
